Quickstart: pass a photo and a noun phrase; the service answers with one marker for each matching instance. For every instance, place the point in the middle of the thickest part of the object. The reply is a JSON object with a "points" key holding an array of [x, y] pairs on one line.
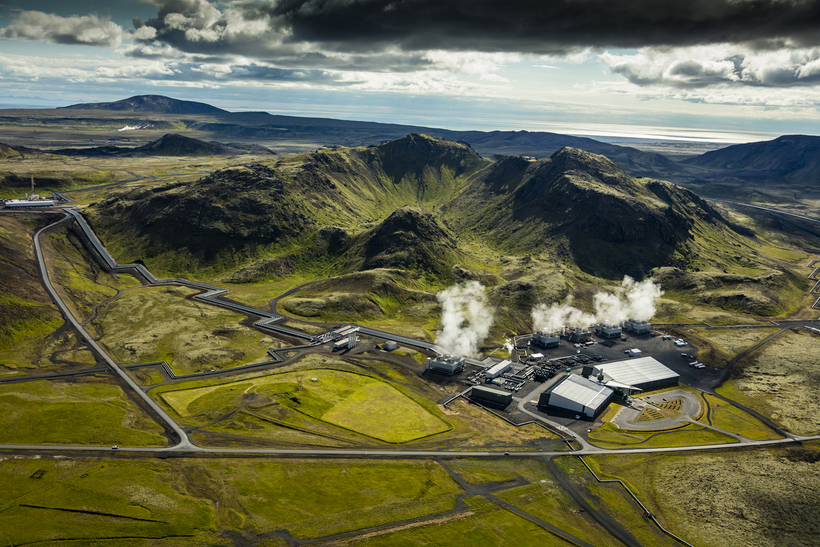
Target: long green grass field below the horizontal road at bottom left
{"points": [[105, 500]]}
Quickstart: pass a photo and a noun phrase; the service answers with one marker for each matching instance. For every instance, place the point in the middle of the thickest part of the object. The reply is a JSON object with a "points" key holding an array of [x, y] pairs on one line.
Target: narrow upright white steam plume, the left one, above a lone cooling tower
{"points": [[466, 318]]}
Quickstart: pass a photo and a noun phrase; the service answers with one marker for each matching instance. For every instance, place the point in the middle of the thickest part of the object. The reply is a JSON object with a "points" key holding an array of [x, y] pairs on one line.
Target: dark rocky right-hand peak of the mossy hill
{"points": [[584, 209]]}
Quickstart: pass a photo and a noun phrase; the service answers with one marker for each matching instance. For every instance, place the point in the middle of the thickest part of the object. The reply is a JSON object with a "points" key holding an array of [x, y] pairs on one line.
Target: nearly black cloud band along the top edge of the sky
{"points": [[543, 26]]}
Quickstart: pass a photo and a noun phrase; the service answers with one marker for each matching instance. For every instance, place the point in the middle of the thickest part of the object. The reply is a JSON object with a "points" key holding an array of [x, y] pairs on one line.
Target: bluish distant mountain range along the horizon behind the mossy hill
{"points": [[788, 160]]}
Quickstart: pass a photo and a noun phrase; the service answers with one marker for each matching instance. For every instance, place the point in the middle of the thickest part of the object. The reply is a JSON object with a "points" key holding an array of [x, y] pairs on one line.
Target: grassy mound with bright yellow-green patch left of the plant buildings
{"points": [[261, 406]]}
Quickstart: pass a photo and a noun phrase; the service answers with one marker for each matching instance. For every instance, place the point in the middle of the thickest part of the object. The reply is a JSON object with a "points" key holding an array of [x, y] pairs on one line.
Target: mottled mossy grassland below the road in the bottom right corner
{"points": [[733, 498]]}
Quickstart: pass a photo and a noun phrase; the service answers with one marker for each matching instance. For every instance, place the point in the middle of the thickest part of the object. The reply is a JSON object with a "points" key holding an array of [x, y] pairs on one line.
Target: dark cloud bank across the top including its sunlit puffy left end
{"points": [[523, 26]]}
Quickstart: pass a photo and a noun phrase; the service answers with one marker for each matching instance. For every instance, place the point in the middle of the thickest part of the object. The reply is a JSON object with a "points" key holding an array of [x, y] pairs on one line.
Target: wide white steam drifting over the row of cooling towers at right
{"points": [[632, 300]]}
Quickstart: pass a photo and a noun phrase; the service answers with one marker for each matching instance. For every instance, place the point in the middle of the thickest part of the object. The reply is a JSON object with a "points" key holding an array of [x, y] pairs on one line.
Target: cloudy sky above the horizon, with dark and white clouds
{"points": [[716, 70]]}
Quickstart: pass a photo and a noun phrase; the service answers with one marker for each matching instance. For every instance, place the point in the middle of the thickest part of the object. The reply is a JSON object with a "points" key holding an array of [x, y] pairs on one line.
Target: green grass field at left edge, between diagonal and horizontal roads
{"points": [[89, 410]]}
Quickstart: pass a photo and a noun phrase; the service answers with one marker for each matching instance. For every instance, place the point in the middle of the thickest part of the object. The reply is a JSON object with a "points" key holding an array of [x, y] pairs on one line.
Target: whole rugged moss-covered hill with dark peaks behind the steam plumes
{"points": [[415, 203]]}
